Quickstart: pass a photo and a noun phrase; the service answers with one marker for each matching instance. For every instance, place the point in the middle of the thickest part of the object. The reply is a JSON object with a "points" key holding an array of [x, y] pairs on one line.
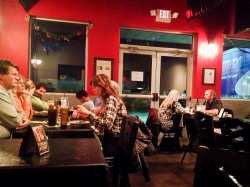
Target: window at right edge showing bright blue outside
{"points": [[236, 69]]}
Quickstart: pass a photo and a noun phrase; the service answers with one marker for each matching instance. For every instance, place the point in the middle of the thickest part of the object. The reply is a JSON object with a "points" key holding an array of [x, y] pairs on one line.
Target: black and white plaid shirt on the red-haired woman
{"points": [[111, 115]]}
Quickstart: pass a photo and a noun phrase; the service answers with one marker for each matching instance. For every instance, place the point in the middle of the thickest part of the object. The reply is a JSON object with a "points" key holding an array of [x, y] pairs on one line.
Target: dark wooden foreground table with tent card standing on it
{"points": [[70, 162]]}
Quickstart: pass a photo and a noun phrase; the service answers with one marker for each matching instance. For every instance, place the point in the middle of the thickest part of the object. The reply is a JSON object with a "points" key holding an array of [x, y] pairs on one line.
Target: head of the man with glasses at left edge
{"points": [[9, 76]]}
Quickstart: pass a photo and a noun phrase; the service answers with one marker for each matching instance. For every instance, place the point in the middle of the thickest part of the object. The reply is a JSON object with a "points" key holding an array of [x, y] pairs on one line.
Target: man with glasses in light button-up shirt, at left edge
{"points": [[10, 118]]}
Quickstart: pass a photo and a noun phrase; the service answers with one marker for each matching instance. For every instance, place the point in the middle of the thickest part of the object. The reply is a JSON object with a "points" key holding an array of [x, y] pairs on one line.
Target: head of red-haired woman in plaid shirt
{"points": [[102, 86]]}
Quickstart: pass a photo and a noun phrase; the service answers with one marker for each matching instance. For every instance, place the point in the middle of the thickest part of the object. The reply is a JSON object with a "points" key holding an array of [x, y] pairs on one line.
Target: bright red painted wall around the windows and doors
{"points": [[108, 17]]}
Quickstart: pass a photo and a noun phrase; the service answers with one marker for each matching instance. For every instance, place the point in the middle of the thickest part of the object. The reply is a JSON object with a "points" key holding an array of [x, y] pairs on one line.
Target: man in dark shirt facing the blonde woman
{"points": [[213, 105]]}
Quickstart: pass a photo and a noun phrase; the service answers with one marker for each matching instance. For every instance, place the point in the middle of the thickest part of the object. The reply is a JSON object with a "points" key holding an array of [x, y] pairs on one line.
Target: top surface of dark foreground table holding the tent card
{"points": [[82, 152]]}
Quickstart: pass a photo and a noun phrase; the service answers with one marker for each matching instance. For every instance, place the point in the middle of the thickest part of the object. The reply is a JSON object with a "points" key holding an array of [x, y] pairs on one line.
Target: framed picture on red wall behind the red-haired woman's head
{"points": [[104, 66]]}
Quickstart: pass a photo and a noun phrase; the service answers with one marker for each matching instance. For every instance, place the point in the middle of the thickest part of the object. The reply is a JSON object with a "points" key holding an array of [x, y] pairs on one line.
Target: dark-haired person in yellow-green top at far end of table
{"points": [[37, 103]]}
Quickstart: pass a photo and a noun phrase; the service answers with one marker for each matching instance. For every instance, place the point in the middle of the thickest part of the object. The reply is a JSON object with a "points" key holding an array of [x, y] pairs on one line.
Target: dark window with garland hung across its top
{"points": [[57, 54]]}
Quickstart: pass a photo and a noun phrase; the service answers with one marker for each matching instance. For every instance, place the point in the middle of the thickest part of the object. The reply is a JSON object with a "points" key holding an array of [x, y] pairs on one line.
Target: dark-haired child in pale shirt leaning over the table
{"points": [[86, 102]]}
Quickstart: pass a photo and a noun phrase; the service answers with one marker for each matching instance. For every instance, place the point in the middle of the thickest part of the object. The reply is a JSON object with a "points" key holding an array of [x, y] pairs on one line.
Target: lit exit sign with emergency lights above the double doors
{"points": [[163, 15]]}
